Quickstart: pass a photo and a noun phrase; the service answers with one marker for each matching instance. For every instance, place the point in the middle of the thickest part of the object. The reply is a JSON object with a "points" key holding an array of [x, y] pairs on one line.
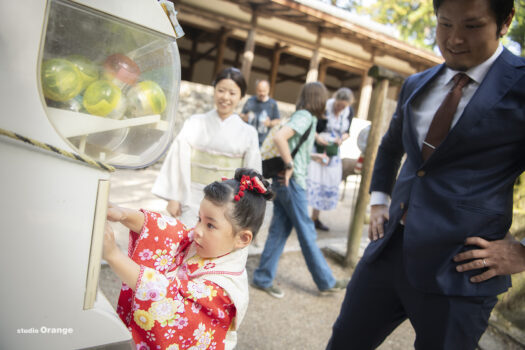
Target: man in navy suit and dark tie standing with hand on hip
{"points": [[452, 199]]}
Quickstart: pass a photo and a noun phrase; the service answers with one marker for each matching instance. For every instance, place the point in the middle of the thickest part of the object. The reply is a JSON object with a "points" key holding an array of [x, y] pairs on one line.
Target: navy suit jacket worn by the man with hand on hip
{"points": [[464, 189]]}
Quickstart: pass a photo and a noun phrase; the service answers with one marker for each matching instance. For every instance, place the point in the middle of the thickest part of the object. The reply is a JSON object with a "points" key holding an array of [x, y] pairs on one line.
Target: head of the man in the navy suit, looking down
{"points": [[467, 32]]}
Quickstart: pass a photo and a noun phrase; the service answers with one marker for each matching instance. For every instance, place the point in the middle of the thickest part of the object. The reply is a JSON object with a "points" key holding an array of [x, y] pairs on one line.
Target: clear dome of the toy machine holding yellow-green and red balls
{"points": [[110, 86]]}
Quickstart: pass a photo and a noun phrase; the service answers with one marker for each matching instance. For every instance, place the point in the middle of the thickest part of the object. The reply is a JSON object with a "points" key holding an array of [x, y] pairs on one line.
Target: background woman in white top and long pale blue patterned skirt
{"points": [[324, 178]]}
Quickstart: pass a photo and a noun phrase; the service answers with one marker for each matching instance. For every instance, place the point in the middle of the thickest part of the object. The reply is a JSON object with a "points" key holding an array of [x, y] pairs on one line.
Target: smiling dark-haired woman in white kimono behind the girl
{"points": [[209, 146]]}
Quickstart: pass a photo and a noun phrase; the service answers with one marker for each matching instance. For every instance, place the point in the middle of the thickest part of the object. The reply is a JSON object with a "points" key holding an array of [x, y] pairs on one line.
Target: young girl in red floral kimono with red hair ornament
{"points": [[188, 289]]}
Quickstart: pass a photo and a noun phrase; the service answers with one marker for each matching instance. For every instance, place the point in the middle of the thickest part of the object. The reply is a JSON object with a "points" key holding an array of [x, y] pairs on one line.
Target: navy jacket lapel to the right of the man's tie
{"points": [[500, 78]]}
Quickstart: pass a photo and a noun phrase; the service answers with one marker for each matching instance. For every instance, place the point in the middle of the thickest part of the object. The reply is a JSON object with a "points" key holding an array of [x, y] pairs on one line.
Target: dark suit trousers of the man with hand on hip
{"points": [[379, 297]]}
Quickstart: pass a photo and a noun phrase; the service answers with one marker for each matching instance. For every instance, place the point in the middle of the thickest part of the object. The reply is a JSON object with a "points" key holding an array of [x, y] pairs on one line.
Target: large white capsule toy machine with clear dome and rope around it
{"points": [[85, 86]]}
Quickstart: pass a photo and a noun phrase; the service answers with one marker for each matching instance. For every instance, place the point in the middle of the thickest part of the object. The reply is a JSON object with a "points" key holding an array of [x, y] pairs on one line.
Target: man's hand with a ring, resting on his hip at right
{"points": [[502, 257]]}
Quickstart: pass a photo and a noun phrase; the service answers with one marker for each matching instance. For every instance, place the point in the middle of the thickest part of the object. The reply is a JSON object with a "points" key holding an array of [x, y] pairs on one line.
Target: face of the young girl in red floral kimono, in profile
{"points": [[214, 234]]}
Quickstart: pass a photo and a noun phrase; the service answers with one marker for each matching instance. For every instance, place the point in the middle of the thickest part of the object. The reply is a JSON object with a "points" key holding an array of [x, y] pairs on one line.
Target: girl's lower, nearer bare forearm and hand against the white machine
{"points": [[126, 269]]}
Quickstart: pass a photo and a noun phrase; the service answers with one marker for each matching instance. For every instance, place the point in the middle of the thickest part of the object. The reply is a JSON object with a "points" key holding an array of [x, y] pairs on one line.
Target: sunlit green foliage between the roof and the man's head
{"points": [[415, 20]]}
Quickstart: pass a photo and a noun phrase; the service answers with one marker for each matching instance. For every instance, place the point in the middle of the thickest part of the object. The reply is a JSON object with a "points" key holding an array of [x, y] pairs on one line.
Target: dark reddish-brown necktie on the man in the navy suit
{"points": [[442, 121]]}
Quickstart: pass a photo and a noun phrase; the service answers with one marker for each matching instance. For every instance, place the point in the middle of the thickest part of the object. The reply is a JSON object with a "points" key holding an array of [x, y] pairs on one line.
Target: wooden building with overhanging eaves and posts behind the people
{"points": [[290, 42]]}
